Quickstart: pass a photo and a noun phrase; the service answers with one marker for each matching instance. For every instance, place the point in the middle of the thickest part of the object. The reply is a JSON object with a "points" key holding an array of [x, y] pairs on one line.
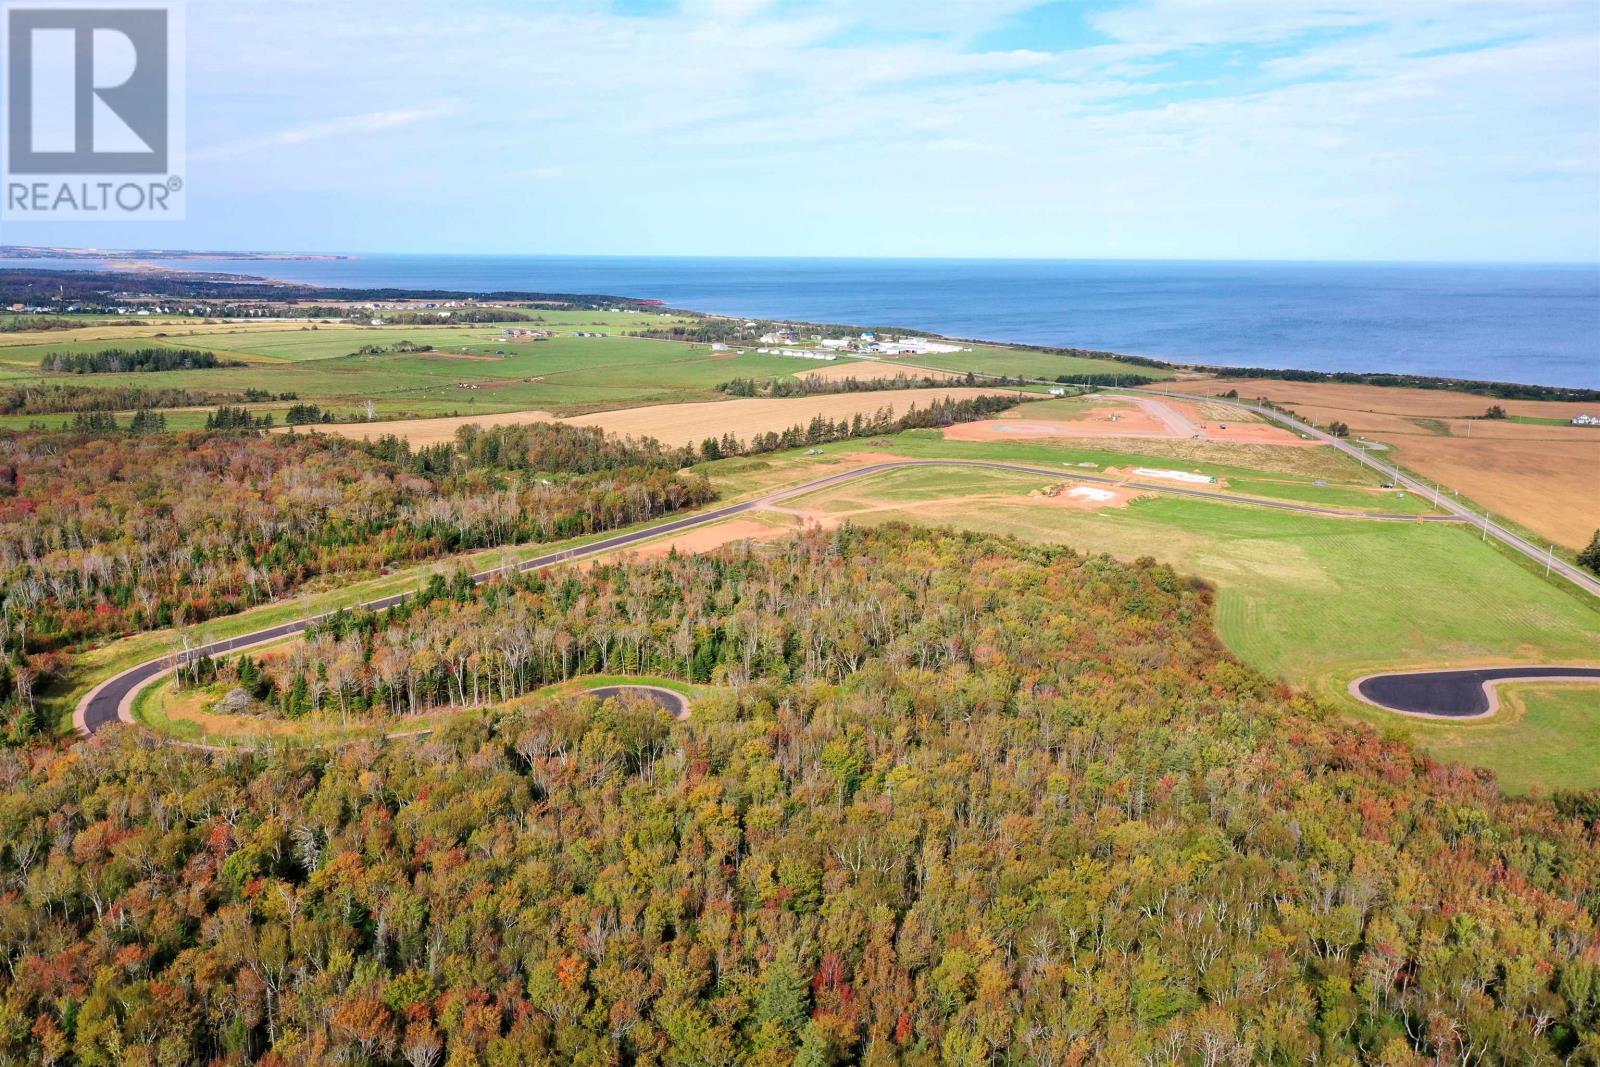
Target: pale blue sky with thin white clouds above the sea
{"points": [[1370, 130]]}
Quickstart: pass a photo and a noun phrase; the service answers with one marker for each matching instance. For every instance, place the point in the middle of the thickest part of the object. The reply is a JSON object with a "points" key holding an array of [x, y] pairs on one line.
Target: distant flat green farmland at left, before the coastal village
{"points": [[474, 369]]}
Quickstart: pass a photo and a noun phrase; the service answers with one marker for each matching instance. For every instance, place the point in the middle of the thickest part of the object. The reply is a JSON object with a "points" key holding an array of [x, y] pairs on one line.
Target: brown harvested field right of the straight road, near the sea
{"points": [[1543, 478]]}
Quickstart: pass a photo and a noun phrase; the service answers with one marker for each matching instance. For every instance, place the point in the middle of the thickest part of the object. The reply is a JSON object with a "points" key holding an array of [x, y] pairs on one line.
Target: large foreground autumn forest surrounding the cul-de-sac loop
{"points": [[948, 801]]}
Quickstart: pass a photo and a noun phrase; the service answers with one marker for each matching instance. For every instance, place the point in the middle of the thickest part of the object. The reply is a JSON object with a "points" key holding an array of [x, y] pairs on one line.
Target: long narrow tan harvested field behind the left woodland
{"points": [[679, 423]]}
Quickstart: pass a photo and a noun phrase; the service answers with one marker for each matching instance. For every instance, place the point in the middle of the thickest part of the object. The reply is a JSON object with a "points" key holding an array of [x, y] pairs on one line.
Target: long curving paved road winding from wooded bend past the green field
{"points": [[113, 700]]}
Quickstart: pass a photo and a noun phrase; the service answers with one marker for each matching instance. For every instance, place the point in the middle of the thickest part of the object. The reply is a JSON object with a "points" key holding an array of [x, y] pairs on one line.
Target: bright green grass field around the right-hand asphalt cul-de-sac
{"points": [[1319, 602]]}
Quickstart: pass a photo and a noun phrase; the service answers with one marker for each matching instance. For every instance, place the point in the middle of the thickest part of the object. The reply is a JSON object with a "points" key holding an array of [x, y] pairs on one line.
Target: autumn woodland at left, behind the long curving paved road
{"points": [[103, 537]]}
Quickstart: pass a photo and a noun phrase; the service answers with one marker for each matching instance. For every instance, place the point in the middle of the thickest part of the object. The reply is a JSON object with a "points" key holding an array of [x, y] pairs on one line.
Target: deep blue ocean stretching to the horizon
{"points": [[1529, 324]]}
